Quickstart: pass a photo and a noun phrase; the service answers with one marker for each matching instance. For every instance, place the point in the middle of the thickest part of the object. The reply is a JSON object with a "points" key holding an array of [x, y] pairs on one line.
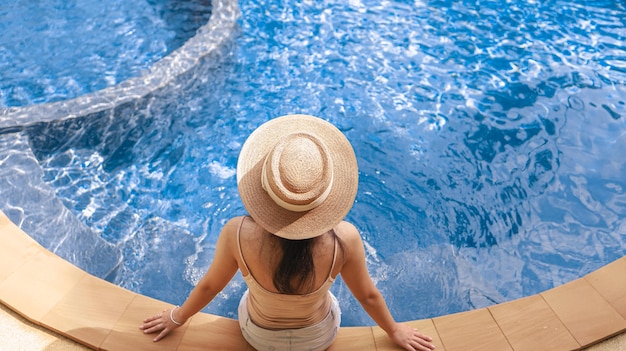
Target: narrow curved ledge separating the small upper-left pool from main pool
{"points": [[210, 39]]}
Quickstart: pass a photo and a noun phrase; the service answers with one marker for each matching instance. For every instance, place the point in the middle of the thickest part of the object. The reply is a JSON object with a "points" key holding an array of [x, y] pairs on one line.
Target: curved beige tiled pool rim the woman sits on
{"points": [[52, 293]]}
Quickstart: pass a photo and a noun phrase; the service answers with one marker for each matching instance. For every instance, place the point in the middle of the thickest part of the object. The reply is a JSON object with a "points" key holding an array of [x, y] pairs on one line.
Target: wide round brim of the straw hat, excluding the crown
{"points": [[274, 218]]}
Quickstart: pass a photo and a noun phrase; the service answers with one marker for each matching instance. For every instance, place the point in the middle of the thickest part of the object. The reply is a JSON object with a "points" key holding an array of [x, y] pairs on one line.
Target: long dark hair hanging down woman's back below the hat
{"points": [[295, 271]]}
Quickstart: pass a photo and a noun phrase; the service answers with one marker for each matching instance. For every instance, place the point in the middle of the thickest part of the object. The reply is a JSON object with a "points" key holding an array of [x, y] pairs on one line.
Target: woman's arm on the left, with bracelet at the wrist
{"points": [[220, 272]]}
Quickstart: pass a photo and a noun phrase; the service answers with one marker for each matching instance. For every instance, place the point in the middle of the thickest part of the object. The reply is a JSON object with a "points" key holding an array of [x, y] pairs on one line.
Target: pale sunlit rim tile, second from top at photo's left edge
{"points": [[38, 285]]}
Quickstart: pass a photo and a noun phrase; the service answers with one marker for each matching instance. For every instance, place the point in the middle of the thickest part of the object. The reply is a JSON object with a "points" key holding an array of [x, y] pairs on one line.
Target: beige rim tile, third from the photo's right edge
{"points": [[530, 324]]}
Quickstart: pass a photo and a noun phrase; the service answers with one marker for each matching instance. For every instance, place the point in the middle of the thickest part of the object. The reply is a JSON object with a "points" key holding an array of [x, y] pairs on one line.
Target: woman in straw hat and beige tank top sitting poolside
{"points": [[297, 177]]}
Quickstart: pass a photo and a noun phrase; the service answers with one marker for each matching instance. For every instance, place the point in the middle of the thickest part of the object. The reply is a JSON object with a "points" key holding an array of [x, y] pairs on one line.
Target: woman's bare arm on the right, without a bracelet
{"points": [[354, 273]]}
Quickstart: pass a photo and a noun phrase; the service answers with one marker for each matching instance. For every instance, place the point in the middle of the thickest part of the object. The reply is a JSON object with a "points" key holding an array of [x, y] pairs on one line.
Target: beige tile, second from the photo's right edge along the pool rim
{"points": [[587, 315]]}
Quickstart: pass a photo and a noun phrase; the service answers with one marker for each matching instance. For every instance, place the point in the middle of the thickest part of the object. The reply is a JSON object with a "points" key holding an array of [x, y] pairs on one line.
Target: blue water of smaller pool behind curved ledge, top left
{"points": [[78, 47]]}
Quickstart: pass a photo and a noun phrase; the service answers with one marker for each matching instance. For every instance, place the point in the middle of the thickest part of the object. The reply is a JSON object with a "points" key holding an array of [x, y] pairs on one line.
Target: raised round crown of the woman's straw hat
{"points": [[298, 172]]}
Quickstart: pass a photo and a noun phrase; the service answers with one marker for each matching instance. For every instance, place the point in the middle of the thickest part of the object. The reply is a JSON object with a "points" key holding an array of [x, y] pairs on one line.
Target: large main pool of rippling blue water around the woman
{"points": [[488, 137]]}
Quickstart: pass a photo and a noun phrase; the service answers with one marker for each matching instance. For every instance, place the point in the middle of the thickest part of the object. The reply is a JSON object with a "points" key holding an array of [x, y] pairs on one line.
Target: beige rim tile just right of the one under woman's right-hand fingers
{"points": [[472, 330]]}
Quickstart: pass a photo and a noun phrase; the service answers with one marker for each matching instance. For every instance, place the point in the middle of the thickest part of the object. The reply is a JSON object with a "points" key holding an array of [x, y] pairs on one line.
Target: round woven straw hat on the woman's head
{"points": [[297, 176]]}
